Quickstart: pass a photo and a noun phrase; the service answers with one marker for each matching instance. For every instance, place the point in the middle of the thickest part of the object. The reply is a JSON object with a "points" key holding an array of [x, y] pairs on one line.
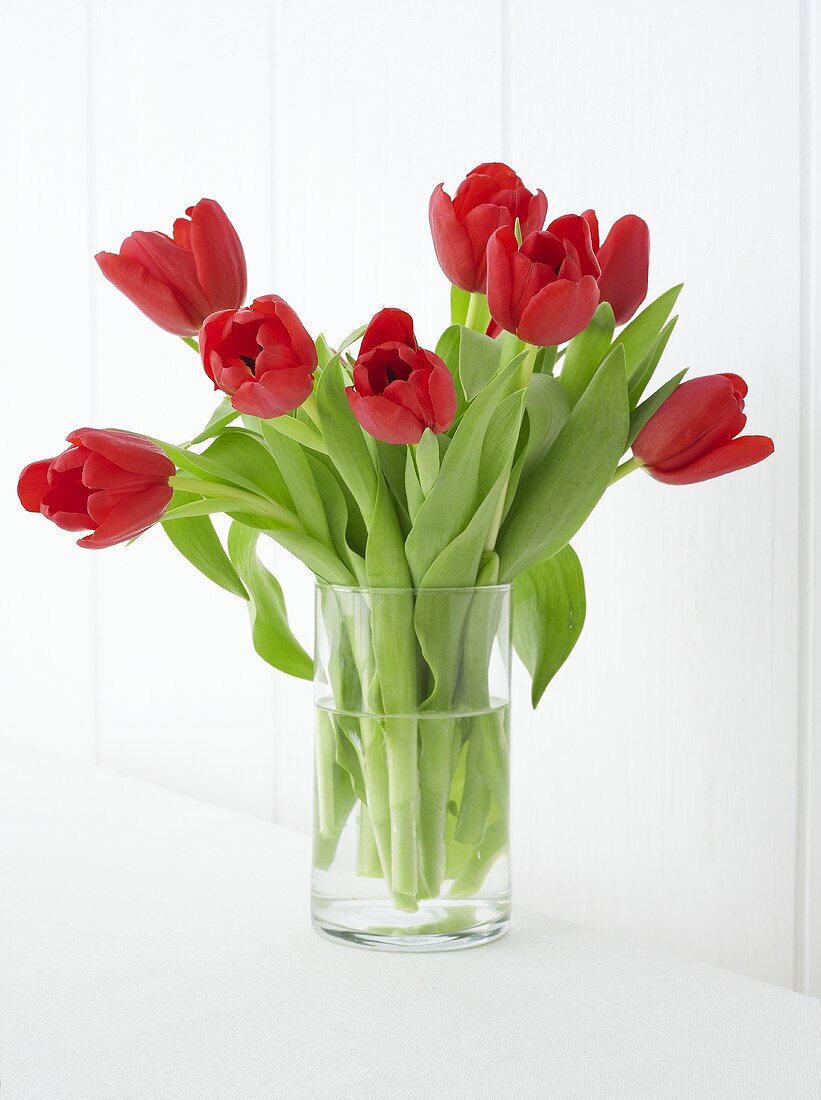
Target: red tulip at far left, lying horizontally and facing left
{"points": [[112, 483]]}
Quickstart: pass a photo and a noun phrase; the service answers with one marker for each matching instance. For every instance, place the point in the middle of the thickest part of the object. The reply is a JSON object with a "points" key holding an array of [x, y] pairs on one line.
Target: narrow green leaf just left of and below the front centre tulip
{"points": [[347, 444]]}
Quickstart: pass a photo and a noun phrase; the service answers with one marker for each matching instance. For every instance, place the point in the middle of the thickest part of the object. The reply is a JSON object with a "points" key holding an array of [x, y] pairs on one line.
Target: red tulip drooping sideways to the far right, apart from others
{"points": [[693, 437]]}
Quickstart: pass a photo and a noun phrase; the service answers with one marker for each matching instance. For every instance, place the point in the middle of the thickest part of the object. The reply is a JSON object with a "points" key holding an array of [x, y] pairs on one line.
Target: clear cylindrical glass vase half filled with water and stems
{"points": [[412, 766]]}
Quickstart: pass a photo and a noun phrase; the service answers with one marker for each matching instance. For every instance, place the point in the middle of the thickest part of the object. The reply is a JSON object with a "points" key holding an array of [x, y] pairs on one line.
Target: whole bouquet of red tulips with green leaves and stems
{"points": [[386, 464]]}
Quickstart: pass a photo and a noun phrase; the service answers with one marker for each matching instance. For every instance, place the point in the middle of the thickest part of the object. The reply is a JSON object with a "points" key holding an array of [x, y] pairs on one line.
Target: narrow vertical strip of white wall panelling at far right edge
{"points": [[803, 947]]}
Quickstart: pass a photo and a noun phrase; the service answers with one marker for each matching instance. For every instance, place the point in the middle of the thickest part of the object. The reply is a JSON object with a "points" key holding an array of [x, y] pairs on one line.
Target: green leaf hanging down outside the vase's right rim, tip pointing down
{"points": [[549, 617]]}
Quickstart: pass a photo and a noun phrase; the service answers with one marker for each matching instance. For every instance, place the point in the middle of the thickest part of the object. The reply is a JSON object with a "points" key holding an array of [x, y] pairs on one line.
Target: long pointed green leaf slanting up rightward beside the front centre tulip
{"points": [[454, 499]]}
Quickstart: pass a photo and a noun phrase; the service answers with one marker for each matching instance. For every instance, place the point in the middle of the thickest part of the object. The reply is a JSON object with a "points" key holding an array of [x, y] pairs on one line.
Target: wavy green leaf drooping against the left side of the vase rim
{"points": [[272, 637]]}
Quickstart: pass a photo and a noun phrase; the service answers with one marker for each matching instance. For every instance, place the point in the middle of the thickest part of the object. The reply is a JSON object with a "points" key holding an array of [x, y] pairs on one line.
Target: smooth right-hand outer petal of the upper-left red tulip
{"points": [[218, 256]]}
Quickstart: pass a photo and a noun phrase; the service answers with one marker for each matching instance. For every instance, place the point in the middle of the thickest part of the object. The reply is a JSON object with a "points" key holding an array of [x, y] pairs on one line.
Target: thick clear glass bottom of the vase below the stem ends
{"points": [[439, 926]]}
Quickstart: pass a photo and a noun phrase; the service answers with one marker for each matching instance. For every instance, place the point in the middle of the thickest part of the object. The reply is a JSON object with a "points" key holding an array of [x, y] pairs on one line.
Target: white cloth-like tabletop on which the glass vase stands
{"points": [[155, 947]]}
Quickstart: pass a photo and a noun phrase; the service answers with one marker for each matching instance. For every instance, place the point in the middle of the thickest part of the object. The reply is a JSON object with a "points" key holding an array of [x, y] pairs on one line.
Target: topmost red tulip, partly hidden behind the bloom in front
{"points": [[490, 197]]}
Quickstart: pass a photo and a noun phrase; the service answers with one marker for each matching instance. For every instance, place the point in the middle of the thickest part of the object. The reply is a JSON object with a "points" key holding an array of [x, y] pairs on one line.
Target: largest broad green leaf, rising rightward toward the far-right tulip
{"points": [[557, 497]]}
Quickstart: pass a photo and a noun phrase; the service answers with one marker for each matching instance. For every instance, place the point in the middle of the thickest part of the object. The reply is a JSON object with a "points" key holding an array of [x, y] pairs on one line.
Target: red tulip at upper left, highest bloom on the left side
{"points": [[179, 282]]}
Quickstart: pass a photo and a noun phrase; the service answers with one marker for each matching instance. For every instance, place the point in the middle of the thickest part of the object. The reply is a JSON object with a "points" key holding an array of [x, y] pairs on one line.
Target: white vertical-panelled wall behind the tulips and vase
{"points": [[664, 790]]}
